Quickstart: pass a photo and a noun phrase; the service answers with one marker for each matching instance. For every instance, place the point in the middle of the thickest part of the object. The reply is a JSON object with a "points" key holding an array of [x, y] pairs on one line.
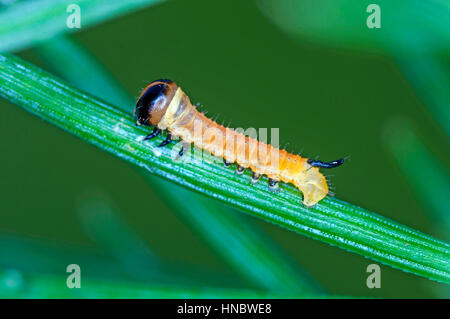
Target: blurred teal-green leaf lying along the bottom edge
{"points": [[15, 284]]}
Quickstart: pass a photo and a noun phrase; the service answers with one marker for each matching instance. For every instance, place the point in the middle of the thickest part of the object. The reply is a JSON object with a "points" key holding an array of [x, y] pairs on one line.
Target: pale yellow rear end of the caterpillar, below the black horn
{"points": [[312, 184]]}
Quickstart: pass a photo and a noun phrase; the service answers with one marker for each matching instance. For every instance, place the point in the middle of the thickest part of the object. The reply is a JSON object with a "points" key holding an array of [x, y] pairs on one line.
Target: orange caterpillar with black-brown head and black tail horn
{"points": [[164, 105]]}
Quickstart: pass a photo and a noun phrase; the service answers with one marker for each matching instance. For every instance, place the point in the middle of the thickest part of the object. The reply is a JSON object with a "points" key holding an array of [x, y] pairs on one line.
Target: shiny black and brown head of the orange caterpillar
{"points": [[154, 101]]}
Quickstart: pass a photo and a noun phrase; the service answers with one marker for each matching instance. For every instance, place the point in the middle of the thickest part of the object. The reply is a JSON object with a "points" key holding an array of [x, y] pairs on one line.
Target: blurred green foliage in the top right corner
{"points": [[407, 26]]}
